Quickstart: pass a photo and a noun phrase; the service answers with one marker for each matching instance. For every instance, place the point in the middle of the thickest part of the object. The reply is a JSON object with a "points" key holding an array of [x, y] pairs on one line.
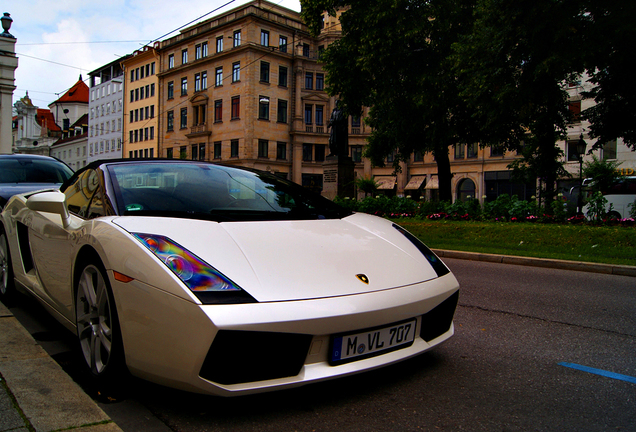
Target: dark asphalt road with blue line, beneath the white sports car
{"points": [[513, 365]]}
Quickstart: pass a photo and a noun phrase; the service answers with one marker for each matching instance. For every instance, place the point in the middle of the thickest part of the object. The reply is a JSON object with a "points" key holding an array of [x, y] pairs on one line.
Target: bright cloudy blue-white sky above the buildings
{"points": [[61, 39]]}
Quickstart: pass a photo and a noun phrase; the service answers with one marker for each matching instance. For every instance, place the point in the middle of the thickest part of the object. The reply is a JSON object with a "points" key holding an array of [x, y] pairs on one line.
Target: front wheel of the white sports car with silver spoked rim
{"points": [[98, 330]]}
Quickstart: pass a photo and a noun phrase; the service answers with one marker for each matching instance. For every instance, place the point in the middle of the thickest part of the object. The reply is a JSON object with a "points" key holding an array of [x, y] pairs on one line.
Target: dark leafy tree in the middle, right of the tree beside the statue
{"points": [[513, 68]]}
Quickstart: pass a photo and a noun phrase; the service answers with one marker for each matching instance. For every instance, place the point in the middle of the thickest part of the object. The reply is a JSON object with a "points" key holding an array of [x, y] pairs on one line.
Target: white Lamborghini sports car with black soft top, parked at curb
{"points": [[222, 280]]}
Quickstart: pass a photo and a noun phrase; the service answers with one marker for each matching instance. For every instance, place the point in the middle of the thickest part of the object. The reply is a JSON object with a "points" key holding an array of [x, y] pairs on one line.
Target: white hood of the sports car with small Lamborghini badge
{"points": [[295, 260]]}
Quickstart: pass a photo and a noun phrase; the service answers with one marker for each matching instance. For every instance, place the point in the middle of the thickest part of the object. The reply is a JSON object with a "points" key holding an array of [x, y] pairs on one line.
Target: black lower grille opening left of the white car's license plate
{"points": [[245, 356]]}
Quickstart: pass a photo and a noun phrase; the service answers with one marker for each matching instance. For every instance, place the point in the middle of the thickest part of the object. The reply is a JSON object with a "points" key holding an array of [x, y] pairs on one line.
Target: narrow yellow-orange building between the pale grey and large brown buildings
{"points": [[141, 104]]}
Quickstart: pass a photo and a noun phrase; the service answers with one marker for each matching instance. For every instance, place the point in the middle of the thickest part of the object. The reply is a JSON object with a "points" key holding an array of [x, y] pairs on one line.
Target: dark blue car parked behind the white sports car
{"points": [[20, 173]]}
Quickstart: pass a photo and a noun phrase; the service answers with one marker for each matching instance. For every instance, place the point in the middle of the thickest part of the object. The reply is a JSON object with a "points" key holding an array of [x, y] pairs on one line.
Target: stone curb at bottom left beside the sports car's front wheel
{"points": [[46, 397]]}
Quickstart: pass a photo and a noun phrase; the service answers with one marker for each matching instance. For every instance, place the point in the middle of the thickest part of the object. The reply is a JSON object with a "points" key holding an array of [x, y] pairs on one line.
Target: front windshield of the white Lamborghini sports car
{"points": [[207, 191]]}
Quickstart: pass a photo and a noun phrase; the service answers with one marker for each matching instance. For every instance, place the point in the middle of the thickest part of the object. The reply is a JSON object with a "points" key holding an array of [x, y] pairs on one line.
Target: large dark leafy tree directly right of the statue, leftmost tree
{"points": [[394, 56]]}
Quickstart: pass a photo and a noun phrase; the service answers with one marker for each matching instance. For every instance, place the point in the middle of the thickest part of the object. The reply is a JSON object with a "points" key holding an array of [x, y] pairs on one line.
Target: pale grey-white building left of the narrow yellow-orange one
{"points": [[106, 112]]}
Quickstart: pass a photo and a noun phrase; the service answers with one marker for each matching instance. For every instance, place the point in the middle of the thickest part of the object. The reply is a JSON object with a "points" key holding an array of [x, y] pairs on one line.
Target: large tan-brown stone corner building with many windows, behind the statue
{"points": [[246, 88]]}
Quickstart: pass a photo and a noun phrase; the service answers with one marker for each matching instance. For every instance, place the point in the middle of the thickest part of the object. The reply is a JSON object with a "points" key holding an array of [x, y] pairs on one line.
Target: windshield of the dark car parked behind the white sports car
{"points": [[25, 170]]}
